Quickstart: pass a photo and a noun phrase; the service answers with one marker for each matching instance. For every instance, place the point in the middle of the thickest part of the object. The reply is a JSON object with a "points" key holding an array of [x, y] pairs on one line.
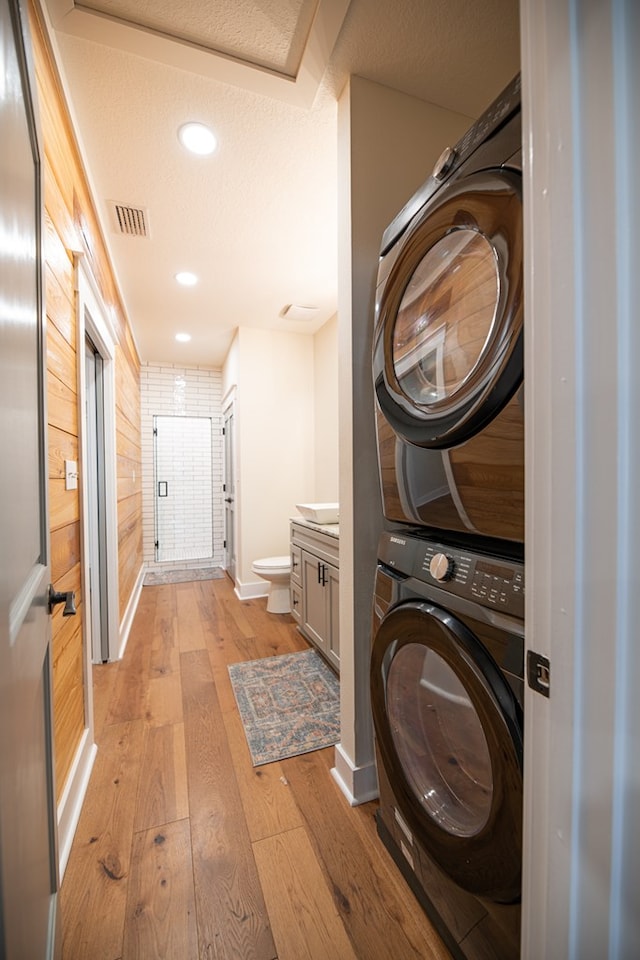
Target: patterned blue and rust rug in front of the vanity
{"points": [[289, 705]]}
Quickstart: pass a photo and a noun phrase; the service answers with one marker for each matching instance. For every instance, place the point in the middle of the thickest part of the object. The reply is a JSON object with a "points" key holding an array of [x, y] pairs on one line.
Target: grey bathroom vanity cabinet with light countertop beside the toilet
{"points": [[314, 585]]}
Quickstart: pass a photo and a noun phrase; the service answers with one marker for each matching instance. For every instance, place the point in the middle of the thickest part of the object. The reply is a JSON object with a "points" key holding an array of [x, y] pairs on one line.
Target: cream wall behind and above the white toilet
{"points": [[274, 376]]}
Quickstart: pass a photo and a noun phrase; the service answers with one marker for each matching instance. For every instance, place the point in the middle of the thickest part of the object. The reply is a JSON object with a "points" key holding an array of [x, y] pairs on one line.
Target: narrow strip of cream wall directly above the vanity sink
{"points": [[326, 420]]}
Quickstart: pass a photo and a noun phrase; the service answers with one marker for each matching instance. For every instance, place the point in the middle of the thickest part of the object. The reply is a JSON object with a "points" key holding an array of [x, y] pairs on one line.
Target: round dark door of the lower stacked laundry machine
{"points": [[449, 733]]}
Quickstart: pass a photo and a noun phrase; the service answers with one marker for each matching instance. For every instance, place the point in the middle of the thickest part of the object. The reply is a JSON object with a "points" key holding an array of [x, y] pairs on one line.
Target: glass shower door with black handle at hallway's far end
{"points": [[183, 488]]}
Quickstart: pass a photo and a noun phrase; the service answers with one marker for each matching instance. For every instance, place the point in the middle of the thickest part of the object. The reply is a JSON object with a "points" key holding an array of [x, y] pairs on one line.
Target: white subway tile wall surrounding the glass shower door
{"points": [[170, 390]]}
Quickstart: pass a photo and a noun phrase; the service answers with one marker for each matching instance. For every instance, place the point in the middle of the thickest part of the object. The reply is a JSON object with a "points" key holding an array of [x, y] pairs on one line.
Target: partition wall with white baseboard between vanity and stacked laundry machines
{"points": [[387, 145]]}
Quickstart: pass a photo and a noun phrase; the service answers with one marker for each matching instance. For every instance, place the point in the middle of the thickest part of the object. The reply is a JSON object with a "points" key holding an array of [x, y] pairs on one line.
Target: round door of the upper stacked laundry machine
{"points": [[448, 346]]}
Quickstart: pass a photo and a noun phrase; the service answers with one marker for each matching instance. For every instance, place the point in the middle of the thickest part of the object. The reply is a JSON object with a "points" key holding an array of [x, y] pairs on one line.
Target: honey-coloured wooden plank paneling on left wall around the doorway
{"points": [[71, 224]]}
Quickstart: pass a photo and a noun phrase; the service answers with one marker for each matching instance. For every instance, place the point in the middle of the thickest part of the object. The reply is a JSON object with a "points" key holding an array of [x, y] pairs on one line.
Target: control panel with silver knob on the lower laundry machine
{"points": [[491, 581]]}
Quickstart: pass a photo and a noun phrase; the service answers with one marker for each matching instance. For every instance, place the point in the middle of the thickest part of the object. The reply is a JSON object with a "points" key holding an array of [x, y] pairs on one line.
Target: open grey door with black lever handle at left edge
{"points": [[28, 856]]}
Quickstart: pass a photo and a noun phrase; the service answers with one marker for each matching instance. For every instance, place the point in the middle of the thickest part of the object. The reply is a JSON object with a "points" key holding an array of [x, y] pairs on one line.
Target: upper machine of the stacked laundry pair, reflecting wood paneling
{"points": [[448, 340]]}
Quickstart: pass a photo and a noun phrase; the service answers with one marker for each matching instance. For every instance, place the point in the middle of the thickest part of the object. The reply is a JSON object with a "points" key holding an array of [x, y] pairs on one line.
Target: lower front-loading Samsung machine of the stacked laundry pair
{"points": [[447, 686]]}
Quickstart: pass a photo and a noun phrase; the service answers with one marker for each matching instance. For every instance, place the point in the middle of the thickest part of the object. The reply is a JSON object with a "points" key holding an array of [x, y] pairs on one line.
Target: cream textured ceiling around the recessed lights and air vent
{"points": [[257, 221]]}
